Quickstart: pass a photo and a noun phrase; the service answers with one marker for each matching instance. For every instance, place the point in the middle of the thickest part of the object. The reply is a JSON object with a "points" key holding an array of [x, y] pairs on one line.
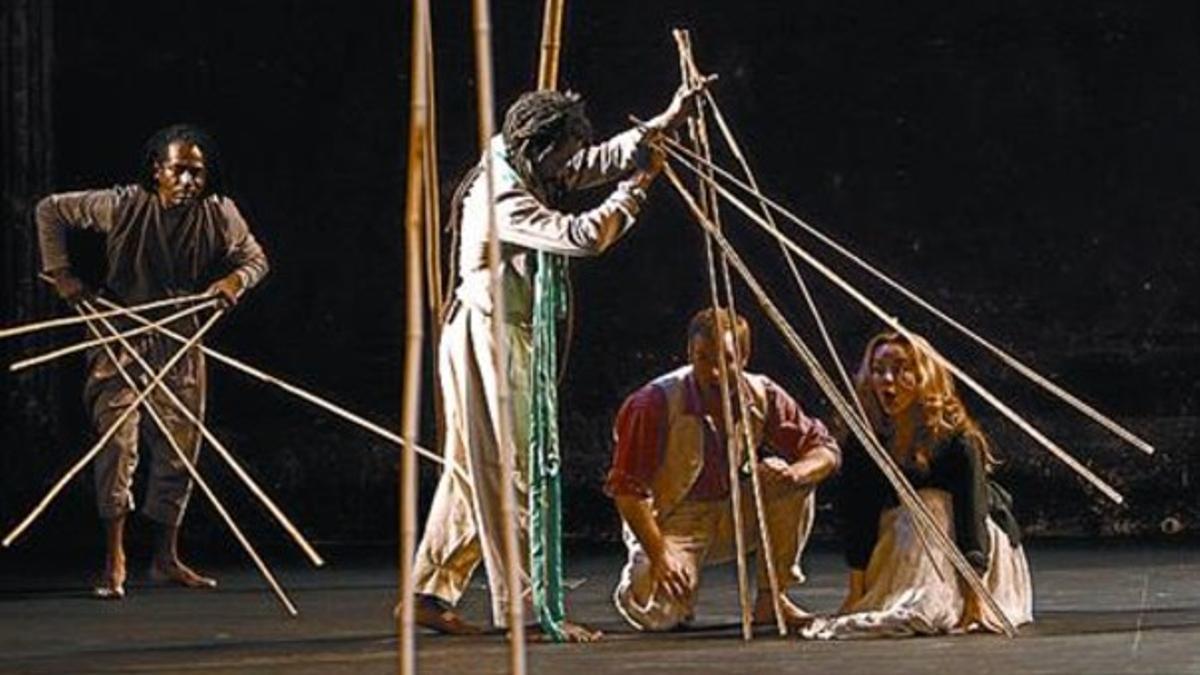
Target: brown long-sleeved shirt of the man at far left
{"points": [[152, 252]]}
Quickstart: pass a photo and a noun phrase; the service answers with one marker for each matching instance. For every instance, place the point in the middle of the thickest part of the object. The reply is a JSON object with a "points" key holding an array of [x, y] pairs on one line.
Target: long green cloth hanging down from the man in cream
{"points": [[545, 459]]}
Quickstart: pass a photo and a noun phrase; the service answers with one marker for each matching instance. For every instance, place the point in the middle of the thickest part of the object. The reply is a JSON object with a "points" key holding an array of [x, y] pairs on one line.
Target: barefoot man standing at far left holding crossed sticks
{"points": [[171, 235]]}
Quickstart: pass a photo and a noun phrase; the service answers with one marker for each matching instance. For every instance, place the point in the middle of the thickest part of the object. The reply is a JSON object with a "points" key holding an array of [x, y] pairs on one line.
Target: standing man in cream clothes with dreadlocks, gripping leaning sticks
{"points": [[543, 154]]}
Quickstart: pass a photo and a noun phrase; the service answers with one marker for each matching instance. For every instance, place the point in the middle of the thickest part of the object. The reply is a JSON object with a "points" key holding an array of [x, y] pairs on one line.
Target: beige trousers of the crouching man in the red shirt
{"points": [[703, 534]]}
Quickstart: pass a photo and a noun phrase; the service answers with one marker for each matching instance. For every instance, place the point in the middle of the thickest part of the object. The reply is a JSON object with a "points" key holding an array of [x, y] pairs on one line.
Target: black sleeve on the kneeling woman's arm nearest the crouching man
{"points": [[860, 501]]}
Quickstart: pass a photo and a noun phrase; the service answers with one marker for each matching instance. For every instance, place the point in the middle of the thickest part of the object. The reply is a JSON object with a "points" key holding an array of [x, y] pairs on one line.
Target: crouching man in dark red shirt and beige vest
{"points": [[670, 480]]}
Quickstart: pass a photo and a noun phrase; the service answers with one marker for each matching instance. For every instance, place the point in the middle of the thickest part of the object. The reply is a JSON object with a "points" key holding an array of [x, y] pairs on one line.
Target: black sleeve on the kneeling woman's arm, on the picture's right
{"points": [[961, 471]]}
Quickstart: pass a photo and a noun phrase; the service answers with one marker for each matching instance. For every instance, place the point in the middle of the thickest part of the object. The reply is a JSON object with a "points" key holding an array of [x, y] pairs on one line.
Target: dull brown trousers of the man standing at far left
{"points": [[109, 397]]}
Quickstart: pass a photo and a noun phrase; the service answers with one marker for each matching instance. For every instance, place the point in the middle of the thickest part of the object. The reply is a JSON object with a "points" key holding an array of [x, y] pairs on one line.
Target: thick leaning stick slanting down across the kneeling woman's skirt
{"points": [[905, 492]]}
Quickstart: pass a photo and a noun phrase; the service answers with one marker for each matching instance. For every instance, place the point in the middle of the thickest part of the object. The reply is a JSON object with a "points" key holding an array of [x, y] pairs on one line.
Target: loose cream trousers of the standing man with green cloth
{"points": [[465, 522]]}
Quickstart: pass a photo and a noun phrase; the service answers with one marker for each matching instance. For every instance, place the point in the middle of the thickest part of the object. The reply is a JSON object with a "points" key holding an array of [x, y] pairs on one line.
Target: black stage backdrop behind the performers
{"points": [[1031, 168]]}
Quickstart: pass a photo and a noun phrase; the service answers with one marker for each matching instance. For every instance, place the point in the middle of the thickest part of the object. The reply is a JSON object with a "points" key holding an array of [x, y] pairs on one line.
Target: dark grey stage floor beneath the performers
{"points": [[1099, 610]]}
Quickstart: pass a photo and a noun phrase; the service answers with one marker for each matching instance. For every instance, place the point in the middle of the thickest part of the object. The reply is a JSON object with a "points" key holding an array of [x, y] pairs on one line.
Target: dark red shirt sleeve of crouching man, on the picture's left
{"points": [[638, 444]]}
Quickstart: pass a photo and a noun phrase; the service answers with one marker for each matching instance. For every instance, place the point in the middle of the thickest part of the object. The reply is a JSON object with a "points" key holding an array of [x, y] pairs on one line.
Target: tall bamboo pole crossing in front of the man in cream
{"points": [[512, 552]]}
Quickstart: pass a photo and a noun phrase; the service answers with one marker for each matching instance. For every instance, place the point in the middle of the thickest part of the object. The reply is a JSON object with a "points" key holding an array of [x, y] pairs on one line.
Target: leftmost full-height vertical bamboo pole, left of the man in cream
{"points": [[415, 217]]}
